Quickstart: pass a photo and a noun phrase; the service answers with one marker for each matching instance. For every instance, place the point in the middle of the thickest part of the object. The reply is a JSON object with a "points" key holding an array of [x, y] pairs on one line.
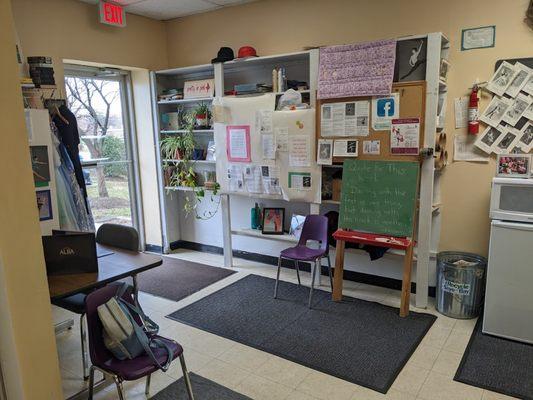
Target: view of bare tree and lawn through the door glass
{"points": [[97, 106]]}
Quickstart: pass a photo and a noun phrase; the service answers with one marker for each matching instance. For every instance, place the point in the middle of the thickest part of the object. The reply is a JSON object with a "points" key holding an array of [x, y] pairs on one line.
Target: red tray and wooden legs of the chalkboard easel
{"points": [[343, 236]]}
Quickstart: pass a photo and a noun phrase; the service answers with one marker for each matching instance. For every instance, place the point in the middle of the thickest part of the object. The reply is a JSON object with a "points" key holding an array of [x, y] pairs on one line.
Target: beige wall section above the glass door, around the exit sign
{"points": [[69, 29]]}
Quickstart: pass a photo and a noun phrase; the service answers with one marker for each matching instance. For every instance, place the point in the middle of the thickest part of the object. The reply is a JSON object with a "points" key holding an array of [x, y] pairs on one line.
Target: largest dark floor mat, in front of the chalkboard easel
{"points": [[360, 341]]}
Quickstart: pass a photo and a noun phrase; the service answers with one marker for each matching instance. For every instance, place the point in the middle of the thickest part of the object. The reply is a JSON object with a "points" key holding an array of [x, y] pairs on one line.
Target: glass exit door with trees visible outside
{"points": [[100, 99]]}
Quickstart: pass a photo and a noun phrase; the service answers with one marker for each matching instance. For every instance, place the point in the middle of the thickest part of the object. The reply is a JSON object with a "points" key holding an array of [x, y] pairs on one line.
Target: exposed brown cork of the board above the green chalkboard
{"points": [[383, 136]]}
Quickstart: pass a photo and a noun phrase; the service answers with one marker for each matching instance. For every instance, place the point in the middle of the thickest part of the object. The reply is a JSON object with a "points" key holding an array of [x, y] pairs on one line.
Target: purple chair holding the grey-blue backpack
{"points": [[123, 370]]}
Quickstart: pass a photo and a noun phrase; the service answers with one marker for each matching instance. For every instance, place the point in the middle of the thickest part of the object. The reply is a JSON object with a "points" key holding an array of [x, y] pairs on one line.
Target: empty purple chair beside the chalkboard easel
{"points": [[316, 229]]}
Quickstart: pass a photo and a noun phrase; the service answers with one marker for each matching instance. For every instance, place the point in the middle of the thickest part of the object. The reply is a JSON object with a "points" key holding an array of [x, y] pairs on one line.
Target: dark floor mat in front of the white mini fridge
{"points": [[497, 364]]}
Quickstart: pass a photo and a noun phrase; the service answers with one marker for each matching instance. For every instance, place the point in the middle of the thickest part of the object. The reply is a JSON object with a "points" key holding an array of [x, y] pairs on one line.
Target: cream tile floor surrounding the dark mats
{"points": [[428, 375]]}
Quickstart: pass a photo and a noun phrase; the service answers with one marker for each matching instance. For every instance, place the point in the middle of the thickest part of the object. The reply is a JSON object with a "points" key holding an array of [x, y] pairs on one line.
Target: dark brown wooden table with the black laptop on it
{"points": [[112, 267]]}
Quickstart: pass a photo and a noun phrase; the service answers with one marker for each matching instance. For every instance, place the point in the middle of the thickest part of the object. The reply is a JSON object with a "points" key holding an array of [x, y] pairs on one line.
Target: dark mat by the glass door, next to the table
{"points": [[176, 279]]}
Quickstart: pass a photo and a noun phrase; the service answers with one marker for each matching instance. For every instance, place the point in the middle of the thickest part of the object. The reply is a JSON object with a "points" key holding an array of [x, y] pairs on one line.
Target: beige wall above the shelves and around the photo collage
{"points": [[278, 26]]}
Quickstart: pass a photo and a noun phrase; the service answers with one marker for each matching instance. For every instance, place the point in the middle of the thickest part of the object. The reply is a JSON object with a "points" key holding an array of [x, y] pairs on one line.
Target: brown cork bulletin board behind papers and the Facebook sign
{"points": [[412, 104]]}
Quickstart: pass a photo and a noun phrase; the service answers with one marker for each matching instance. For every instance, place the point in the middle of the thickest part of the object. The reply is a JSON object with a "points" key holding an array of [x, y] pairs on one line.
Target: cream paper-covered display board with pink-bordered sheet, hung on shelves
{"points": [[279, 159]]}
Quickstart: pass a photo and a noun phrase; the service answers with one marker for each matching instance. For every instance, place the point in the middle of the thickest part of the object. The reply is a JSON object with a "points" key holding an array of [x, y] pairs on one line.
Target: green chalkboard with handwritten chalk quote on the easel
{"points": [[379, 196]]}
